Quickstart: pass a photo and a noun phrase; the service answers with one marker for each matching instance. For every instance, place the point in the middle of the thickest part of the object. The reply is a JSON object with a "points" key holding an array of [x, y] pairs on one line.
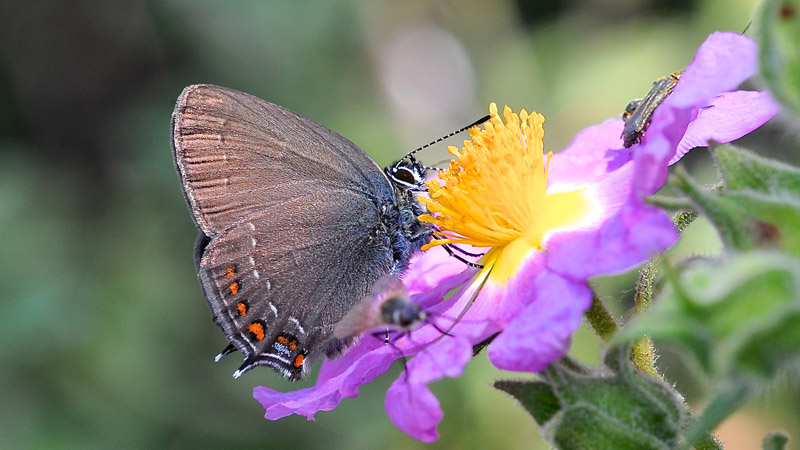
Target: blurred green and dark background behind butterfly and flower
{"points": [[106, 339]]}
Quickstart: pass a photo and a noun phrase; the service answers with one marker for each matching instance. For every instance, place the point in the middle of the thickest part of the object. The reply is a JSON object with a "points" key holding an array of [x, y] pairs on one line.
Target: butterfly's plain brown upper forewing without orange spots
{"points": [[237, 154]]}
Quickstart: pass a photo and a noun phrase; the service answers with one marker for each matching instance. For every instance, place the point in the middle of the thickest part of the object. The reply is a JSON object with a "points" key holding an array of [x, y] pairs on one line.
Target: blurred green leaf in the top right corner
{"points": [[779, 50]]}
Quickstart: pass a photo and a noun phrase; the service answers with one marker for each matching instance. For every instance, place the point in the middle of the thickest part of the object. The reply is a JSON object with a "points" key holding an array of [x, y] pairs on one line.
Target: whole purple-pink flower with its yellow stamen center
{"points": [[547, 223]]}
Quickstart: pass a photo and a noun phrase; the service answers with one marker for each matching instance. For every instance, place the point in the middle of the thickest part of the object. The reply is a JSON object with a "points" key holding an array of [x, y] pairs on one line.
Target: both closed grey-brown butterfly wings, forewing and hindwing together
{"points": [[289, 214]]}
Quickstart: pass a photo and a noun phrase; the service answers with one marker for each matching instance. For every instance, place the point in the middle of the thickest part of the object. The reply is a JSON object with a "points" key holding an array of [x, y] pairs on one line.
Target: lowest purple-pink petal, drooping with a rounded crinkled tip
{"points": [[410, 405]]}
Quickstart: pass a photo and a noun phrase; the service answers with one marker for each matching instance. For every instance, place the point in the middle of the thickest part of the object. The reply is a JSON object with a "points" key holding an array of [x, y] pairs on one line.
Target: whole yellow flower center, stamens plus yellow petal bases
{"points": [[495, 193]]}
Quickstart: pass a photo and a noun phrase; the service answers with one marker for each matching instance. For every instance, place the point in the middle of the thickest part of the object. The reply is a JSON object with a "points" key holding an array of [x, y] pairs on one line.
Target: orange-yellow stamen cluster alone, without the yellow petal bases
{"points": [[495, 190]]}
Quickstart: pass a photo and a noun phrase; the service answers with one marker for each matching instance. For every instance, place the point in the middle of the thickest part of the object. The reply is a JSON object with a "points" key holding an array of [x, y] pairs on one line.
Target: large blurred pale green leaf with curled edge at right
{"points": [[739, 317]]}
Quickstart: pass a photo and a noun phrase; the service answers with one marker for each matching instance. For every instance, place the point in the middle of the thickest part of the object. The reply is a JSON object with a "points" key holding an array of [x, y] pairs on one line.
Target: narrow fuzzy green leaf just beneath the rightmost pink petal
{"points": [[745, 170]]}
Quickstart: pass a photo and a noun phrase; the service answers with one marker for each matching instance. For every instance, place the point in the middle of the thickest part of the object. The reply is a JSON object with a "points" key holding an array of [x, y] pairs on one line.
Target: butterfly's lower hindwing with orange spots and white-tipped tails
{"points": [[278, 283]]}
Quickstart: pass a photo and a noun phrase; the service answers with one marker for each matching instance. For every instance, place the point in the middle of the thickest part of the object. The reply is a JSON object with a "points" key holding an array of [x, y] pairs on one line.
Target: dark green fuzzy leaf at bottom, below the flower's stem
{"points": [[615, 406]]}
